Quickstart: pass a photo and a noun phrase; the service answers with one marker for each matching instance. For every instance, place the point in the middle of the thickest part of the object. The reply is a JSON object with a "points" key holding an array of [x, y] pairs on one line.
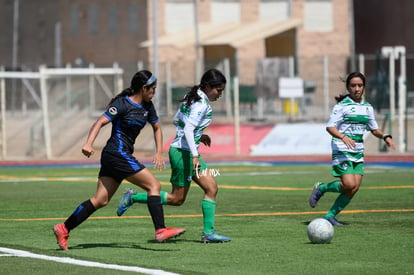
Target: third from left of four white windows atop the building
{"points": [[277, 10]]}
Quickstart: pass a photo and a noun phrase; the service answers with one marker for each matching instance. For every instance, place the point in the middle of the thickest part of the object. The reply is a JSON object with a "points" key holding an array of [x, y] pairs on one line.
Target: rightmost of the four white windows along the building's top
{"points": [[318, 15]]}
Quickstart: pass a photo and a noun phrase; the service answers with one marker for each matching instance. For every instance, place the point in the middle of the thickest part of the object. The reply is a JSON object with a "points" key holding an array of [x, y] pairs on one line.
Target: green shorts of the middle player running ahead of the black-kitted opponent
{"points": [[181, 162]]}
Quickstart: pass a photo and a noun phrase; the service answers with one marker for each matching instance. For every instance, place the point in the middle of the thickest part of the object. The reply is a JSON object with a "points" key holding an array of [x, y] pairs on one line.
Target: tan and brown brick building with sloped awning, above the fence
{"points": [[107, 31]]}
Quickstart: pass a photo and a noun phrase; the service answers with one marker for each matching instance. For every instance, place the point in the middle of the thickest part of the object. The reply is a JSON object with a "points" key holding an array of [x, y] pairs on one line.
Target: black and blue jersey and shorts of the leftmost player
{"points": [[128, 118]]}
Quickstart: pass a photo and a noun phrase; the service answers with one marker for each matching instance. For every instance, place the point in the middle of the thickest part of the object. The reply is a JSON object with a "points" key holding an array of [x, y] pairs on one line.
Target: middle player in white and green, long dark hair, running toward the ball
{"points": [[193, 116]]}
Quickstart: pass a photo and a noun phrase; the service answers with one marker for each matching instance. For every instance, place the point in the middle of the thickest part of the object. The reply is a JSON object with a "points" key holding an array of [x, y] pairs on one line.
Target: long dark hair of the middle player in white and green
{"points": [[212, 78]]}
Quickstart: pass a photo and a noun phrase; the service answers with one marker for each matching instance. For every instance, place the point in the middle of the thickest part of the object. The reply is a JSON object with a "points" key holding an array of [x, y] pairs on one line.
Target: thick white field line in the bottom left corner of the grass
{"points": [[66, 260]]}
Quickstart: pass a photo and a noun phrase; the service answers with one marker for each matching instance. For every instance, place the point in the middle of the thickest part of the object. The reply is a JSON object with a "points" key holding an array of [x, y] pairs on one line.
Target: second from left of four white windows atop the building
{"points": [[225, 11]]}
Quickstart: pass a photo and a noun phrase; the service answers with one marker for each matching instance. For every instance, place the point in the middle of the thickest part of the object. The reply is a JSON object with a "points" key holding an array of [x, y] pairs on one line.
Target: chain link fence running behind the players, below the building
{"points": [[74, 108]]}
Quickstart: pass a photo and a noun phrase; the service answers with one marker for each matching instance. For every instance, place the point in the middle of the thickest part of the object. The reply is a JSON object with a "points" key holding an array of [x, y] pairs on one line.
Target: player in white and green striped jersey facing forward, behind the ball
{"points": [[350, 119]]}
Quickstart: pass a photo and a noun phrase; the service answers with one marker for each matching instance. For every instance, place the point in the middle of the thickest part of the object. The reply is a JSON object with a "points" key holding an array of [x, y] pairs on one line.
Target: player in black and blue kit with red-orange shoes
{"points": [[128, 112]]}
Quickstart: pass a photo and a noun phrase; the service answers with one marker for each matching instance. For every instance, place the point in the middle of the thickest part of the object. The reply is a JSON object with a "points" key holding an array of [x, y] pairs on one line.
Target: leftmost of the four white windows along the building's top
{"points": [[179, 15]]}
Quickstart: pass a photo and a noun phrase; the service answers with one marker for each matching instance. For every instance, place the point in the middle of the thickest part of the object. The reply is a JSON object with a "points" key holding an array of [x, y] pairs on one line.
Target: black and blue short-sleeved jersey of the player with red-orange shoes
{"points": [[128, 118]]}
